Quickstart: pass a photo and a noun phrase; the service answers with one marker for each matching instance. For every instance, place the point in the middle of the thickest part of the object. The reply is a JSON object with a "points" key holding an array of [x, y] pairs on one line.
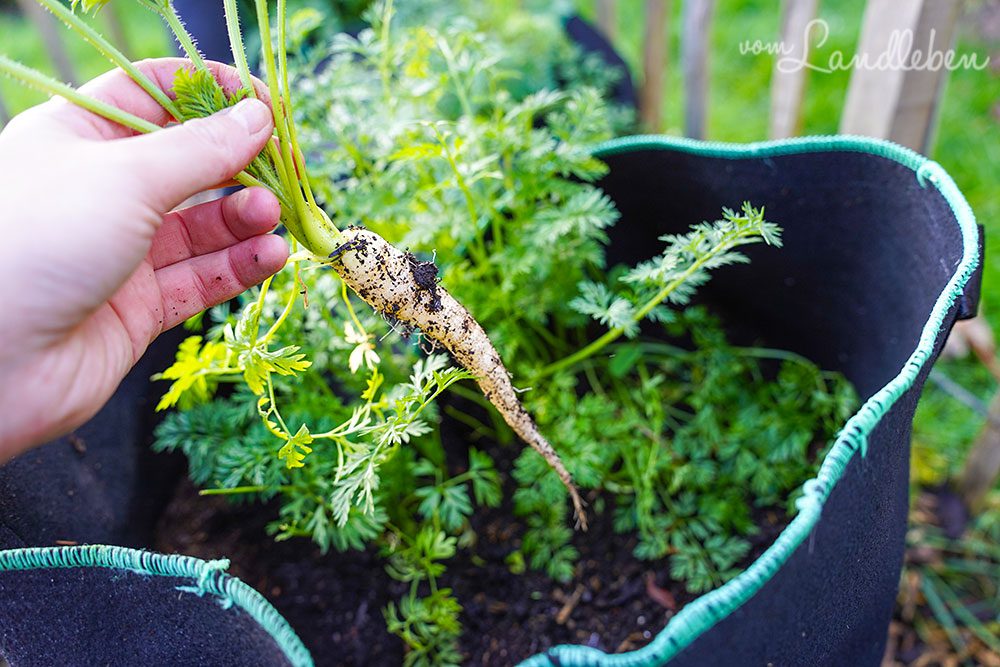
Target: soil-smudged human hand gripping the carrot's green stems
{"points": [[93, 265]]}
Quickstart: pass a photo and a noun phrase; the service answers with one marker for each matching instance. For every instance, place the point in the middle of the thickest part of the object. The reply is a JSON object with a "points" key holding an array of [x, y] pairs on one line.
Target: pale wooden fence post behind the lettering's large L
{"points": [[788, 85]]}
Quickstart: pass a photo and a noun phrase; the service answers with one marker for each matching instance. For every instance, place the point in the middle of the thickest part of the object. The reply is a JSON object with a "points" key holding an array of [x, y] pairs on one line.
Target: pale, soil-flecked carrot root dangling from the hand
{"points": [[396, 284]]}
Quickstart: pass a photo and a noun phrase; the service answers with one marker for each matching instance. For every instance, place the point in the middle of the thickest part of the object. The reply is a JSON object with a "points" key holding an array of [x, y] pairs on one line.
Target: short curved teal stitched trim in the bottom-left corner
{"points": [[208, 575]]}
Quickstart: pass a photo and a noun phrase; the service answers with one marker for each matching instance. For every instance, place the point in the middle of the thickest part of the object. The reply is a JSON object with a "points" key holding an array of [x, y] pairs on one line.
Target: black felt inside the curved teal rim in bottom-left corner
{"points": [[83, 617]]}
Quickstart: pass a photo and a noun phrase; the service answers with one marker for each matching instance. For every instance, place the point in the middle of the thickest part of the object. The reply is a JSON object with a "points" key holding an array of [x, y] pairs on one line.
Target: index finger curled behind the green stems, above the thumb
{"points": [[118, 89]]}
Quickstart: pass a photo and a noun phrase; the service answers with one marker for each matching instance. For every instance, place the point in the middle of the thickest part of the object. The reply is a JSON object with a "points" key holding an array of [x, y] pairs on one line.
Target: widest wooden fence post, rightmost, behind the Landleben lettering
{"points": [[895, 102]]}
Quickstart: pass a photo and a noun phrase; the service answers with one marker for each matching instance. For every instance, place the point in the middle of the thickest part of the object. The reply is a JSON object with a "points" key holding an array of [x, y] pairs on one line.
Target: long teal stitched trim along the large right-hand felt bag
{"points": [[700, 615]]}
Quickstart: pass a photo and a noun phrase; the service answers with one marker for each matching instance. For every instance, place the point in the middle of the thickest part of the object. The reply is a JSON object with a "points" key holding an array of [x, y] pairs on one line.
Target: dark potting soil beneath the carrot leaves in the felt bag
{"points": [[334, 601]]}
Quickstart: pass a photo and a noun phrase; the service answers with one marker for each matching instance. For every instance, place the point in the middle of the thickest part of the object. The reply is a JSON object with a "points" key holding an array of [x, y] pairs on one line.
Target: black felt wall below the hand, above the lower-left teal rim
{"points": [[101, 484]]}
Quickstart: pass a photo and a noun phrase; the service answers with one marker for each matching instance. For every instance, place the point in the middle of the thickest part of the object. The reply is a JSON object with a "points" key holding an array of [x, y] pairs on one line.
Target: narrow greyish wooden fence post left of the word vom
{"points": [[694, 58]]}
